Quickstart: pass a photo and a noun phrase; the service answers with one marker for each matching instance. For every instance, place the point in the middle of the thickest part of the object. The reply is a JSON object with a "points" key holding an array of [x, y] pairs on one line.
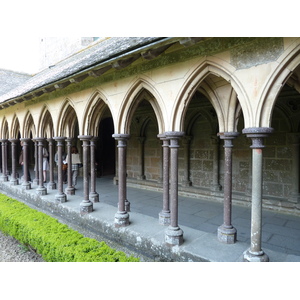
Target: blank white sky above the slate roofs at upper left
{"points": [[19, 54]]}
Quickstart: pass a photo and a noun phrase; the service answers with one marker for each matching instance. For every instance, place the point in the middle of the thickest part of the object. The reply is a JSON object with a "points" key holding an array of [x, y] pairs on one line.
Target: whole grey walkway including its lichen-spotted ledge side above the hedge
{"points": [[199, 220]]}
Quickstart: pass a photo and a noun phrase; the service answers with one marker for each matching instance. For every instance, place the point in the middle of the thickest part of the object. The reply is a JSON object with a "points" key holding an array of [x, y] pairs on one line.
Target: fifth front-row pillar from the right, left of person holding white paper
{"points": [[60, 197]]}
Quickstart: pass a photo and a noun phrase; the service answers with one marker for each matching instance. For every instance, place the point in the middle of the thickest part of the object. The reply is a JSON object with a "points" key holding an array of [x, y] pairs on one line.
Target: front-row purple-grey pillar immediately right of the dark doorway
{"points": [[122, 216]]}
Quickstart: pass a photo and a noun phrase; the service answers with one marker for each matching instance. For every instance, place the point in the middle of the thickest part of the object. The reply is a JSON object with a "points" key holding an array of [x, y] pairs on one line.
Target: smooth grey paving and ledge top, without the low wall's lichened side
{"points": [[199, 220]]}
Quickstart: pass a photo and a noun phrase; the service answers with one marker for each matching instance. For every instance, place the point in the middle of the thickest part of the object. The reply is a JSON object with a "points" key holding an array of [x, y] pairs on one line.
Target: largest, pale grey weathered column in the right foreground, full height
{"points": [[257, 135]]}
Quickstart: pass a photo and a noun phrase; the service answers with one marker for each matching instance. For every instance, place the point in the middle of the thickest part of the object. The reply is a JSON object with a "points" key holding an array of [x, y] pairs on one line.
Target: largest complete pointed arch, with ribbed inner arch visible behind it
{"points": [[210, 76]]}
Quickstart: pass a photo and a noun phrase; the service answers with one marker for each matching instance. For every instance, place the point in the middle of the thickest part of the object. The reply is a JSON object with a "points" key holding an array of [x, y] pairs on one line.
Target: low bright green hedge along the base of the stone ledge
{"points": [[55, 241]]}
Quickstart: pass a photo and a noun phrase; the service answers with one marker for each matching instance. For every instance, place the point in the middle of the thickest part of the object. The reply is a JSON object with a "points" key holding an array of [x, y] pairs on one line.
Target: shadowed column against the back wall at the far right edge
{"points": [[295, 196]]}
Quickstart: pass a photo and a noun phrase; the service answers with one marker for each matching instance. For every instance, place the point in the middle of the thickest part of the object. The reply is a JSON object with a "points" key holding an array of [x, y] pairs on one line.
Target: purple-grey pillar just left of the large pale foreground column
{"points": [[226, 232]]}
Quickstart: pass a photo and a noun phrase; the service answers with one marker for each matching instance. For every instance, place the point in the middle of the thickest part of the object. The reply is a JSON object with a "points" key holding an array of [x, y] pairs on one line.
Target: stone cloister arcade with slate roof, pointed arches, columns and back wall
{"points": [[213, 118]]}
